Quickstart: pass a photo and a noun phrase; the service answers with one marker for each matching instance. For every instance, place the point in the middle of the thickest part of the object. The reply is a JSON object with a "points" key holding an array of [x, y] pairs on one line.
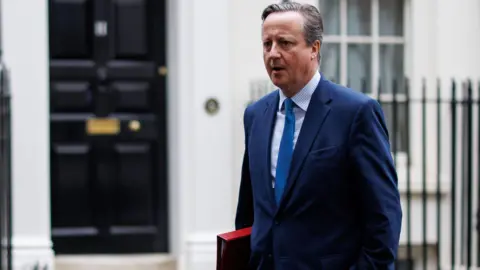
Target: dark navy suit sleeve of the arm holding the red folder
{"points": [[244, 215]]}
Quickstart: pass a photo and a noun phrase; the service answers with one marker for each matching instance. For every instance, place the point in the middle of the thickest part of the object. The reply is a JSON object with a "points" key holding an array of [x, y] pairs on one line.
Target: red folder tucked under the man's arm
{"points": [[233, 250]]}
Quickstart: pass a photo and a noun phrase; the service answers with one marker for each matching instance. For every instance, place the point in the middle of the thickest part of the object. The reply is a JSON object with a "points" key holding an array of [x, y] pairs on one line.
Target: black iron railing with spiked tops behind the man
{"points": [[434, 128]]}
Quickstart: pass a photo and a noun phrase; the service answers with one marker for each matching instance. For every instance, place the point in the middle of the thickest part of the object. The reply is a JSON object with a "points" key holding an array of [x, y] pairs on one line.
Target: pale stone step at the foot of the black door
{"points": [[115, 262]]}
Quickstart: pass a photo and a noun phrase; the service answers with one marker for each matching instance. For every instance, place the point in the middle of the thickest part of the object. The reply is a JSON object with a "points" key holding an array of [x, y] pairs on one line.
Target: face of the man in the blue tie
{"points": [[287, 57]]}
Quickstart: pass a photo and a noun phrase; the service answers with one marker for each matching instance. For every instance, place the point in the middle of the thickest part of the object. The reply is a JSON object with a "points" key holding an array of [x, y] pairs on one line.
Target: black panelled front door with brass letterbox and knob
{"points": [[108, 126]]}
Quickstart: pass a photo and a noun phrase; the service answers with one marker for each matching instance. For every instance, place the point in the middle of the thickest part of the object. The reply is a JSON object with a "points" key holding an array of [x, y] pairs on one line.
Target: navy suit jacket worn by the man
{"points": [[341, 206]]}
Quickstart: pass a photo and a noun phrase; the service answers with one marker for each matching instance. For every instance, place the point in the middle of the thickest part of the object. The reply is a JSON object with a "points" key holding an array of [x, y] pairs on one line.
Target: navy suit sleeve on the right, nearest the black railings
{"points": [[377, 181]]}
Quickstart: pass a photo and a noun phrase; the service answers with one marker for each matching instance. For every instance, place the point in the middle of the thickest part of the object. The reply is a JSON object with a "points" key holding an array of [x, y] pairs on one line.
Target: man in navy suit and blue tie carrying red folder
{"points": [[318, 182]]}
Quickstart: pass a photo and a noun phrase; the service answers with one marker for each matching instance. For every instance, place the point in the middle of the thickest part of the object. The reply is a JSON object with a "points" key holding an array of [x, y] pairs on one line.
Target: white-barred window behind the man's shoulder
{"points": [[363, 48]]}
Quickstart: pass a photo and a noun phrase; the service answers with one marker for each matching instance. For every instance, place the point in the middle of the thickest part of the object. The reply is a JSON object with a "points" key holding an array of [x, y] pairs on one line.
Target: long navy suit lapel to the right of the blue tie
{"points": [[315, 116]]}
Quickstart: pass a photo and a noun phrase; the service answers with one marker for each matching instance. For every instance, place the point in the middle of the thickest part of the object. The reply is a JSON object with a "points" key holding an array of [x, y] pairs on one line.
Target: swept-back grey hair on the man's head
{"points": [[313, 21]]}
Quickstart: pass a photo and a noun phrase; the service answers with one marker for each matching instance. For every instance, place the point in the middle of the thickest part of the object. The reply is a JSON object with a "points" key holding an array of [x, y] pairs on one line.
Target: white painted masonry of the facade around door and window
{"points": [[214, 50]]}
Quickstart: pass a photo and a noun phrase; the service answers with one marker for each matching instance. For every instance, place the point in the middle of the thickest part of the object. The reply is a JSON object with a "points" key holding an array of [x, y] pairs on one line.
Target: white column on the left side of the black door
{"points": [[25, 46]]}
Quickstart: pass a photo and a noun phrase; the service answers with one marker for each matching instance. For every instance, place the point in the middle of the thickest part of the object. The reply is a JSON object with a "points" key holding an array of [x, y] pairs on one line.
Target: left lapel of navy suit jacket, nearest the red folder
{"points": [[265, 126]]}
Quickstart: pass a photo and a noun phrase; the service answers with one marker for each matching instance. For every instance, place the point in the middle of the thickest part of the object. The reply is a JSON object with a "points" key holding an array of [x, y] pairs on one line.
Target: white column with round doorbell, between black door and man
{"points": [[200, 144]]}
